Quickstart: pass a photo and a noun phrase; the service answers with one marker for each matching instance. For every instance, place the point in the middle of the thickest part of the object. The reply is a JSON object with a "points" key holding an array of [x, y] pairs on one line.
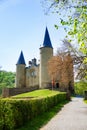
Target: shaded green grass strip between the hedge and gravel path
{"points": [[41, 120]]}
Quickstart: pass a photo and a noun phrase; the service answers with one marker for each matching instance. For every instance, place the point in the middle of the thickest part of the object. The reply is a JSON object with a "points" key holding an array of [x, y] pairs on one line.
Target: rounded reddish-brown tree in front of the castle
{"points": [[60, 69]]}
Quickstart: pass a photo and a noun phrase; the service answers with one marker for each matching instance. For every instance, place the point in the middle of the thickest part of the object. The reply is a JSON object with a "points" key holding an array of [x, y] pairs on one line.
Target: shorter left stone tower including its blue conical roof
{"points": [[20, 72]]}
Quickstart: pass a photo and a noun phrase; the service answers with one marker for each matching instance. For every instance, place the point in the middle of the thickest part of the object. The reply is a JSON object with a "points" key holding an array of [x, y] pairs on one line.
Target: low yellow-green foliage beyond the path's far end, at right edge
{"points": [[80, 87]]}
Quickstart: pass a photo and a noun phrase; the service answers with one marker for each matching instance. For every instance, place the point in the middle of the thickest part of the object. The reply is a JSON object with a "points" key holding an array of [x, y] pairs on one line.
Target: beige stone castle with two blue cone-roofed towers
{"points": [[36, 75]]}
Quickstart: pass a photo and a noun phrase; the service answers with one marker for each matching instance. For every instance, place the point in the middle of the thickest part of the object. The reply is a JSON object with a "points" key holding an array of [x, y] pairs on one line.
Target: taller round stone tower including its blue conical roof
{"points": [[46, 52]]}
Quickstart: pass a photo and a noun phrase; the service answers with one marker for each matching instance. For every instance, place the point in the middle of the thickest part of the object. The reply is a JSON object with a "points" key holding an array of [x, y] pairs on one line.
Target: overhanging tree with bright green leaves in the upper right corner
{"points": [[74, 22]]}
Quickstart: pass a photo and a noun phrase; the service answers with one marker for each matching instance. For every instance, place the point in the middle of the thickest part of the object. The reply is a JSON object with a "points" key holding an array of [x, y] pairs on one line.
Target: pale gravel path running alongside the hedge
{"points": [[73, 116]]}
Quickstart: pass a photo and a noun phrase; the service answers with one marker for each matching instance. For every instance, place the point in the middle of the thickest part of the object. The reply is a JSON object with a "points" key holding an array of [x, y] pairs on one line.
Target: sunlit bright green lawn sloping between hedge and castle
{"points": [[37, 93]]}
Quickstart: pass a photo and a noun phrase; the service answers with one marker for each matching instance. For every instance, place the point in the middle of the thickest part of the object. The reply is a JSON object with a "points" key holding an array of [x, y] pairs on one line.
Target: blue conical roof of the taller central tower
{"points": [[47, 41]]}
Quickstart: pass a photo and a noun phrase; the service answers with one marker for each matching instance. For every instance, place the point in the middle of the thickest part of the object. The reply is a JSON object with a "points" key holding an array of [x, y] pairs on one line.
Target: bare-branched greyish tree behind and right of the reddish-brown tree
{"points": [[77, 57]]}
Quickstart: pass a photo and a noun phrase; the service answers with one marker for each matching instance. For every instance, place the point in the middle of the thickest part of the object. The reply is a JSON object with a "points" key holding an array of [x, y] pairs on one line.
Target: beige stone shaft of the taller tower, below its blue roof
{"points": [[45, 54]]}
